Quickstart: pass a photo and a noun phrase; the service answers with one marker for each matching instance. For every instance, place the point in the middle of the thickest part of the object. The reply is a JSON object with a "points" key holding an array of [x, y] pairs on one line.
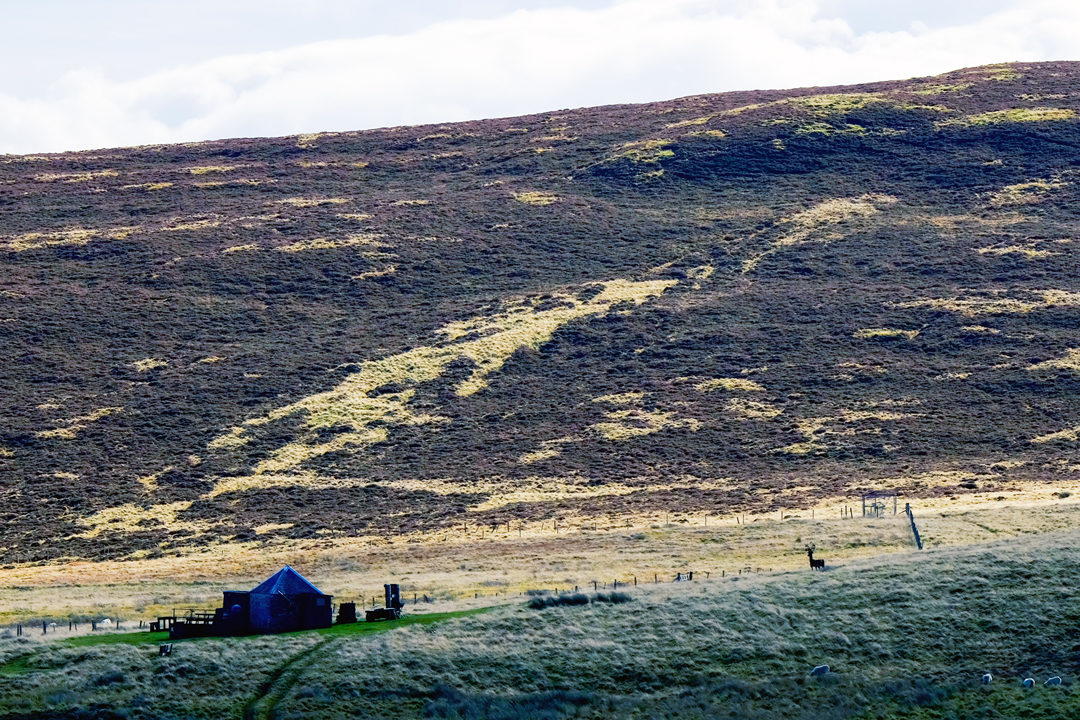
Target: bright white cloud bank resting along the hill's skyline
{"points": [[523, 62]]}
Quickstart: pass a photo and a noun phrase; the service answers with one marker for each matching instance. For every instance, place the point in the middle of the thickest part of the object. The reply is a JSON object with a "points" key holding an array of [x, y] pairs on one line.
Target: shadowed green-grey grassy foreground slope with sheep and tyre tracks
{"points": [[908, 635]]}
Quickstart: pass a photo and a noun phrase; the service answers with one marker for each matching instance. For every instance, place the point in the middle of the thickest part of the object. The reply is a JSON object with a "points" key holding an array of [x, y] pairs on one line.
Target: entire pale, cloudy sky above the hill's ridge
{"points": [[92, 74]]}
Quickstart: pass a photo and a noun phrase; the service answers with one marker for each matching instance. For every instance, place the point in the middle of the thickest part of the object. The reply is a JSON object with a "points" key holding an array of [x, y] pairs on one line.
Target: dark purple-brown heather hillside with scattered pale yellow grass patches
{"points": [[721, 304]]}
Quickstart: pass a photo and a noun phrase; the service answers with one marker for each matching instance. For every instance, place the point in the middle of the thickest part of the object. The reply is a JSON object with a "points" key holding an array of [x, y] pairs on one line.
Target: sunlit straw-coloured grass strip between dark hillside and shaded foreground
{"points": [[469, 572]]}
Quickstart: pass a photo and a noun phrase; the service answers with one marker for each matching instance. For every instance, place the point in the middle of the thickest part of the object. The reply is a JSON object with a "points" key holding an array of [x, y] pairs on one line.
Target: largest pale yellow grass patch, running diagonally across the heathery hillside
{"points": [[488, 342]]}
